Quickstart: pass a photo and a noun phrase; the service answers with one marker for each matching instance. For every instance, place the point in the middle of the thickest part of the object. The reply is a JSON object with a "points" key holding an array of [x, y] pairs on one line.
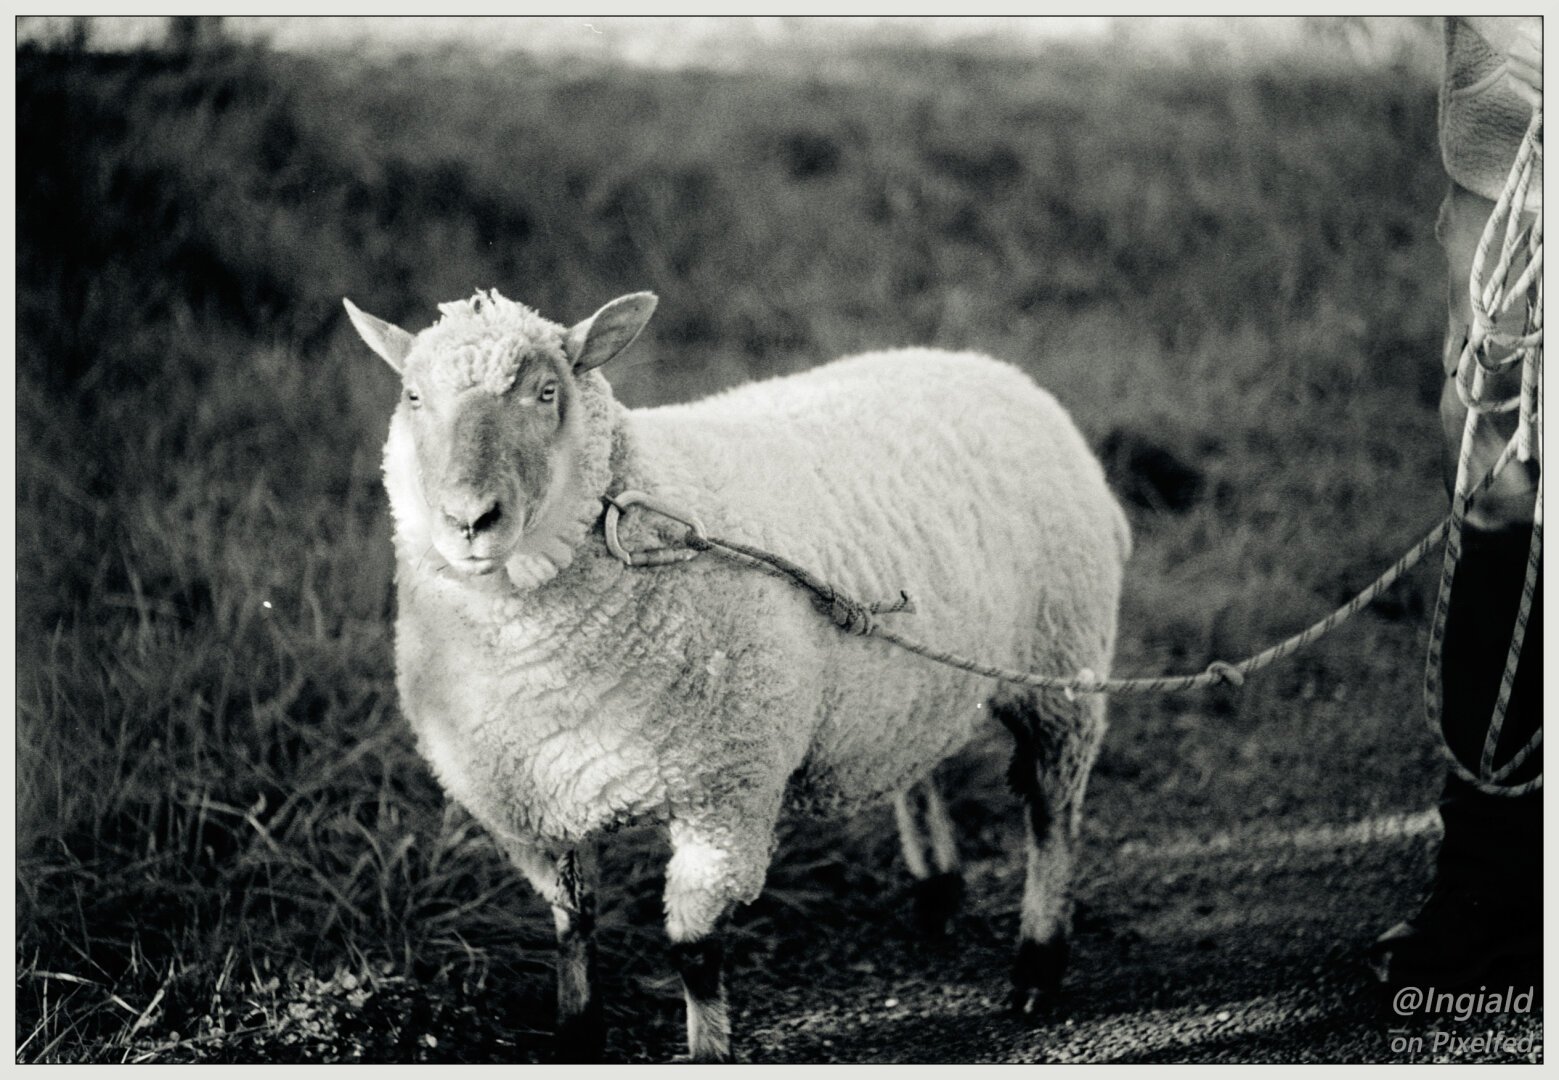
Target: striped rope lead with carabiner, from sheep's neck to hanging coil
{"points": [[1491, 300]]}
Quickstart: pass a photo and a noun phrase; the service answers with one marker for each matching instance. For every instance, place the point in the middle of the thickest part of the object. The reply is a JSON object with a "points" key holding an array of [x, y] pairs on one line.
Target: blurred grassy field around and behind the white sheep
{"points": [[1214, 245]]}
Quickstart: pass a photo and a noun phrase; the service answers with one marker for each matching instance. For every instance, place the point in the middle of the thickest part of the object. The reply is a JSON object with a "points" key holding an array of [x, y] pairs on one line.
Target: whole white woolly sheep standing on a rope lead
{"points": [[559, 694]]}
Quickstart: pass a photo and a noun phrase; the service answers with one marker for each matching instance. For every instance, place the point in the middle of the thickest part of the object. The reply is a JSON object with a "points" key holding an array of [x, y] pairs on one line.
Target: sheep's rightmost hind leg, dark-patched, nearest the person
{"points": [[1056, 746]]}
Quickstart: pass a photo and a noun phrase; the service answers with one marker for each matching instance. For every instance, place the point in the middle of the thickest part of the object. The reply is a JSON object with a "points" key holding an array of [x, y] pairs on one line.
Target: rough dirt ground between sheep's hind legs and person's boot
{"points": [[1211, 950]]}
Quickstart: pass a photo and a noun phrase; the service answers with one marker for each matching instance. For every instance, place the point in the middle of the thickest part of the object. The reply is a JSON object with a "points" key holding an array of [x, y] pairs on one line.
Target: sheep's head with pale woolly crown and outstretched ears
{"points": [[500, 448]]}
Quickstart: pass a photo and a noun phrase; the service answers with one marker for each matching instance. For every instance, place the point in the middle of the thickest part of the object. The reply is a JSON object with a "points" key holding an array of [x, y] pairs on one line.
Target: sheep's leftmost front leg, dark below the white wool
{"points": [[568, 884]]}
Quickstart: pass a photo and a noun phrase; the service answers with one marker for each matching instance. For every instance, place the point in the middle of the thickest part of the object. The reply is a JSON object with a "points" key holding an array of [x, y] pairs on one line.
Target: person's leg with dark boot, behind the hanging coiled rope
{"points": [[1487, 906]]}
